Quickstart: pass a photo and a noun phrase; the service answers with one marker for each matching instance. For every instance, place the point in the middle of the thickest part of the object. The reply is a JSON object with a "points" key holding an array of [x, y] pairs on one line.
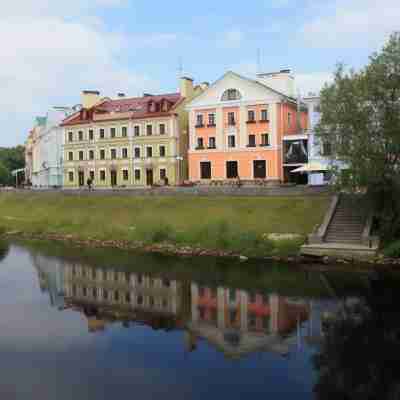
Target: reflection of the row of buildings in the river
{"points": [[236, 322]]}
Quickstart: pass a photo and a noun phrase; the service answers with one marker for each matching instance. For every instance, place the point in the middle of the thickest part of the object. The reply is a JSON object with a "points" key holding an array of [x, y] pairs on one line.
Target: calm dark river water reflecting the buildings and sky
{"points": [[102, 324]]}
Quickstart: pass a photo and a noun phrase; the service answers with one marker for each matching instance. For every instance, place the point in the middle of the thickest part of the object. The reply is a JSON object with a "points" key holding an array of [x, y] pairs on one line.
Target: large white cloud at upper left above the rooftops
{"points": [[48, 57]]}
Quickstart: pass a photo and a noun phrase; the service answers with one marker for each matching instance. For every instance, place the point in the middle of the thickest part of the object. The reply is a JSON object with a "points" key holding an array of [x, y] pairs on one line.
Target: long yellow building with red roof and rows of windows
{"points": [[128, 142]]}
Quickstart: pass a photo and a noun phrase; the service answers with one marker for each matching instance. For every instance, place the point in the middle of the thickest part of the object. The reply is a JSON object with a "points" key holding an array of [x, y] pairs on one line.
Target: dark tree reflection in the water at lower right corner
{"points": [[360, 356]]}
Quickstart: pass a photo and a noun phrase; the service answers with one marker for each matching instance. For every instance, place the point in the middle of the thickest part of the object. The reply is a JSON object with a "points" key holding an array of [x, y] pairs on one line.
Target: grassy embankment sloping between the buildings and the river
{"points": [[224, 223]]}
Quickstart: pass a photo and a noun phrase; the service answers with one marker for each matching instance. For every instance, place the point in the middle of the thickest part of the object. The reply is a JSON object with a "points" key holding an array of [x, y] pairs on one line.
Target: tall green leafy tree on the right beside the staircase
{"points": [[361, 119]]}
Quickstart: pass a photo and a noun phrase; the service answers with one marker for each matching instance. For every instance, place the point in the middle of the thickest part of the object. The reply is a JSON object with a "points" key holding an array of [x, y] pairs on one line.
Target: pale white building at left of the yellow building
{"points": [[46, 150]]}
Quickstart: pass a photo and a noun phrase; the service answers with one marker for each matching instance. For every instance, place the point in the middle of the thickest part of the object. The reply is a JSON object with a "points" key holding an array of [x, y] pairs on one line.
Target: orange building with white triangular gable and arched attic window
{"points": [[247, 129]]}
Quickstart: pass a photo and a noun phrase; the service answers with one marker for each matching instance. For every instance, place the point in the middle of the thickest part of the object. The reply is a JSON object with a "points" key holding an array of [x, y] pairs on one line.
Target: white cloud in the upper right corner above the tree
{"points": [[352, 23]]}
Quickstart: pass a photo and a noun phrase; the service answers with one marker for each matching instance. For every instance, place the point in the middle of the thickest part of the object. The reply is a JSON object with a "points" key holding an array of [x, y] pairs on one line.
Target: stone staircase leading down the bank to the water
{"points": [[347, 223]]}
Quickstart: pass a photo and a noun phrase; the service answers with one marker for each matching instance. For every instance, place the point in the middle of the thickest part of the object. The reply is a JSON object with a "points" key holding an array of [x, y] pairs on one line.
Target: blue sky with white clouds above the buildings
{"points": [[53, 49]]}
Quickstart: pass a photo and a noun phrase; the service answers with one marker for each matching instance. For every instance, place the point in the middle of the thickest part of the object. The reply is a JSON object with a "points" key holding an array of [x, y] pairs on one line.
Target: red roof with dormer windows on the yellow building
{"points": [[127, 108]]}
